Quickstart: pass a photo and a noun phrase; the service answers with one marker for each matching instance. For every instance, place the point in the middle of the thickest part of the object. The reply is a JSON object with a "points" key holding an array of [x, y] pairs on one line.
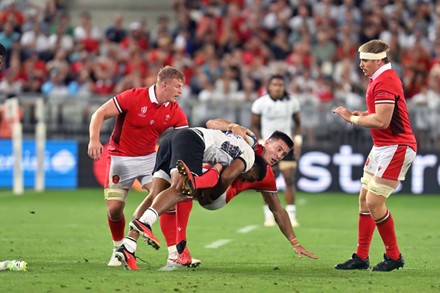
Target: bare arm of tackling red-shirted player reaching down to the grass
{"points": [[283, 221]]}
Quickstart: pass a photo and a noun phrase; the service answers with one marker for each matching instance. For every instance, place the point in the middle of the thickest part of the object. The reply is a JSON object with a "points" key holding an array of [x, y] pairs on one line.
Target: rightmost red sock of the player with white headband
{"points": [[385, 225]]}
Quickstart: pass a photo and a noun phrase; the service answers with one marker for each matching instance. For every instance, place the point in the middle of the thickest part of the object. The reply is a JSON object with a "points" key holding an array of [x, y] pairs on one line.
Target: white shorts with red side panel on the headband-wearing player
{"points": [[390, 162]]}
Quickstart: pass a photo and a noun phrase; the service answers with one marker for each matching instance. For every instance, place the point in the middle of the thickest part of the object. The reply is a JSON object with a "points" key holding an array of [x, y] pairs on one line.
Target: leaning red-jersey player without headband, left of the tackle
{"points": [[142, 115]]}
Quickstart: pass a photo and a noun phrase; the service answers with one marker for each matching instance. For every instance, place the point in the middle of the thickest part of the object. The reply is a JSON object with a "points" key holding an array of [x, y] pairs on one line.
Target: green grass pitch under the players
{"points": [[63, 235]]}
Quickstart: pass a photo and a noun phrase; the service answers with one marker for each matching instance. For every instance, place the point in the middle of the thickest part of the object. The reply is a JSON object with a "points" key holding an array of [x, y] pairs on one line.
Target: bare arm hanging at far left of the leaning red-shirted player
{"points": [[106, 111]]}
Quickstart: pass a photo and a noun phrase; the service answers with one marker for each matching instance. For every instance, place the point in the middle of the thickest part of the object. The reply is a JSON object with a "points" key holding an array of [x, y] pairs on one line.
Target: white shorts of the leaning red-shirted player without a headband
{"points": [[123, 171]]}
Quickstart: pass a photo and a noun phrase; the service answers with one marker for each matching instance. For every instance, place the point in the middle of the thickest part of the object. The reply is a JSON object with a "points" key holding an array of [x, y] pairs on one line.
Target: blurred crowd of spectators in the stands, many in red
{"points": [[227, 49]]}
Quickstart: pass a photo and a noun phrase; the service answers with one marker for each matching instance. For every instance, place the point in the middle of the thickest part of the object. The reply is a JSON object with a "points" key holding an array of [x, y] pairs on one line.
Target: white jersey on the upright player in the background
{"points": [[276, 114]]}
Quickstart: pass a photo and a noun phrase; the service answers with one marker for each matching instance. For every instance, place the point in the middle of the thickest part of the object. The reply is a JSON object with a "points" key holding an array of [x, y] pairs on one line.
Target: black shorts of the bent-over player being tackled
{"points": [[185, 145]]}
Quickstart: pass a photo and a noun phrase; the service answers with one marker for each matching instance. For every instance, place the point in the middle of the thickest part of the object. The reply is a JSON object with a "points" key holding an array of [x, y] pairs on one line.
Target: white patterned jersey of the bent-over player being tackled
{"points": [[223, 148]]}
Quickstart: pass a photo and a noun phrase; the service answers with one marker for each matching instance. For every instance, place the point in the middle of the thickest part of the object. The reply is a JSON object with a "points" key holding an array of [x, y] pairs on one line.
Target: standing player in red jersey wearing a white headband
{"points": [[394, 149]]}
